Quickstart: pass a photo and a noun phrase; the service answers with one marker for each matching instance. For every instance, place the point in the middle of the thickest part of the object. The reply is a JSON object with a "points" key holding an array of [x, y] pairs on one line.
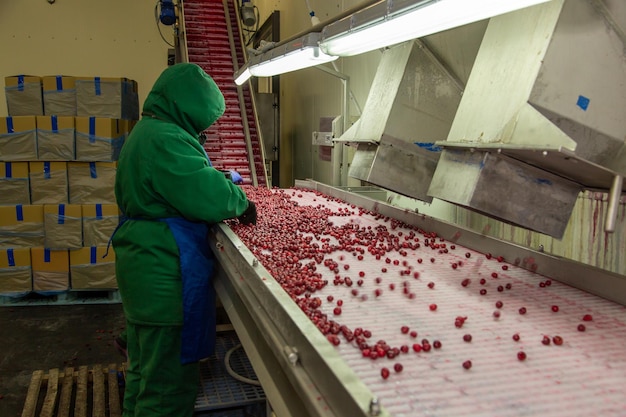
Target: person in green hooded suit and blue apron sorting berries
{"points": [[170, 195]]}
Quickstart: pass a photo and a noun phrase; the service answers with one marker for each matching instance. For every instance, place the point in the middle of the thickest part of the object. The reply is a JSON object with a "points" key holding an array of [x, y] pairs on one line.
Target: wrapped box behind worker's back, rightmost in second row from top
{"points": [[98, 139]]}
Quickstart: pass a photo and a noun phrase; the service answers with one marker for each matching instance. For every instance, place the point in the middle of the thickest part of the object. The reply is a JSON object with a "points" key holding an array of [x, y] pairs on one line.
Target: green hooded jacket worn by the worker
{"points": [[163, 172]]}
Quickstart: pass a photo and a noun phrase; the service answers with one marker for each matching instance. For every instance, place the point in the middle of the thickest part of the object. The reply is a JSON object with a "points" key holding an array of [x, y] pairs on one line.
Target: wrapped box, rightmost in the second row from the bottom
{"points": [[99, 223]]}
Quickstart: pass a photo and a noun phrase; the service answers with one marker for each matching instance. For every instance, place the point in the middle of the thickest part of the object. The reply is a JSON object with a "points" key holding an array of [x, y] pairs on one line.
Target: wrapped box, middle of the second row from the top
{"points": [[55, 138]]}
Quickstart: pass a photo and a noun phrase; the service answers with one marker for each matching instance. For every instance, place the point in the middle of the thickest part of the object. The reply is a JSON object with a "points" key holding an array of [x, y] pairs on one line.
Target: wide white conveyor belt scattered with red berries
{"points": [[585, 375]]}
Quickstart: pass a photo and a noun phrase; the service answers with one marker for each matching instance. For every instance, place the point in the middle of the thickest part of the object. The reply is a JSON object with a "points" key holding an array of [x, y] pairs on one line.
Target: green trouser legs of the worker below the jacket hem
{"points": [[156, 382]]}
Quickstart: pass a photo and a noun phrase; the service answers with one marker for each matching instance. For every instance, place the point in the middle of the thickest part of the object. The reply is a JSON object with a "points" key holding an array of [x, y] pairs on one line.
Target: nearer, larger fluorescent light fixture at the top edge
{"points": [[394, 21]]}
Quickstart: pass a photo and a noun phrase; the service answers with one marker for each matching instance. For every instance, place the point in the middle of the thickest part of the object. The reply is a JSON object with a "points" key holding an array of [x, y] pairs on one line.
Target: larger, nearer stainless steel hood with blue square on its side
{"points": [[542, 116]]}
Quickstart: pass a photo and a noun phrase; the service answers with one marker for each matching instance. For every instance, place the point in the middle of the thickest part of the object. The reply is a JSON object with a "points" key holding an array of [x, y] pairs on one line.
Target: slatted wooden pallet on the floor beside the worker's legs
{"points": [[79, 393]]}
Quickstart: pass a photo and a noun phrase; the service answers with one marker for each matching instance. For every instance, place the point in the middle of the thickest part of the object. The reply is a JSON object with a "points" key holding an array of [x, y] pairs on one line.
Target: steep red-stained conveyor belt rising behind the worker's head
{"points": [[208, 45]]}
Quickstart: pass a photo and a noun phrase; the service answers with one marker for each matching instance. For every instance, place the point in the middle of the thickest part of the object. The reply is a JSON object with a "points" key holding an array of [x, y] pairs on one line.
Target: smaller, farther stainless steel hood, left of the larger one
{"points": [[410, 106]]}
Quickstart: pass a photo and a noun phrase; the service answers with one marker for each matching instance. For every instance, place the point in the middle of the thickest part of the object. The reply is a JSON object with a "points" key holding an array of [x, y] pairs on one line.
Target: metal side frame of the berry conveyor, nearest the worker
{"points": [[301, 372]]}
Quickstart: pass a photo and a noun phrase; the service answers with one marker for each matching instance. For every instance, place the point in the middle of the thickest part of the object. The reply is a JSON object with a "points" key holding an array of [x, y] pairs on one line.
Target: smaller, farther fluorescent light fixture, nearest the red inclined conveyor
{"points": [[300, 53]]}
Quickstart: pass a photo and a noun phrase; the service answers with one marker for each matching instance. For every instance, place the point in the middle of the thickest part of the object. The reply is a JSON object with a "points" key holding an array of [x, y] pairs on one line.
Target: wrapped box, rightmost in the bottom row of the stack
{"points": [[90, 269]]}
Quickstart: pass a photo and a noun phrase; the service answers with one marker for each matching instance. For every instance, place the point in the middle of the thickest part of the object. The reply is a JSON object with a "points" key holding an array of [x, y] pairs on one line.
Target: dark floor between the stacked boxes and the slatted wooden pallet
{"points": [[51, 336]]}
